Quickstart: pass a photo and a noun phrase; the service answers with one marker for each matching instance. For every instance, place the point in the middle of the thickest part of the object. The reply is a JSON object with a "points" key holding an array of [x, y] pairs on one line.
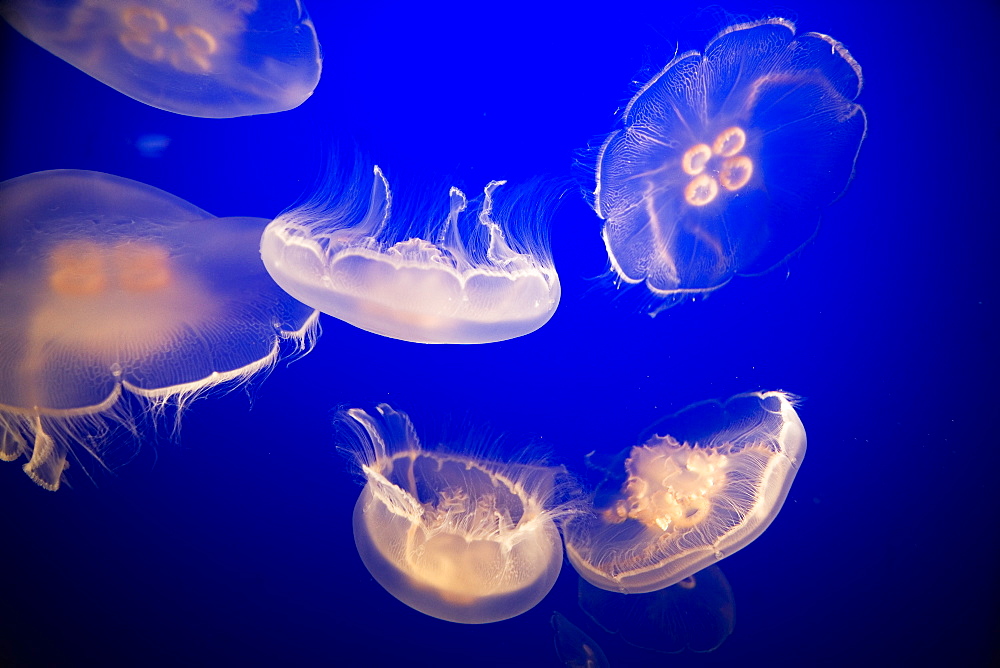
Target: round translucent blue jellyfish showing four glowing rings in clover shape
{"points": [[725, 158]]}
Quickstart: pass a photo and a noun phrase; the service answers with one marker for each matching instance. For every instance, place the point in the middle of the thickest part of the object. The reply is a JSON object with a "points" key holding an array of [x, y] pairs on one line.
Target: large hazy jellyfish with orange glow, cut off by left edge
{"points": [[116, 295]]}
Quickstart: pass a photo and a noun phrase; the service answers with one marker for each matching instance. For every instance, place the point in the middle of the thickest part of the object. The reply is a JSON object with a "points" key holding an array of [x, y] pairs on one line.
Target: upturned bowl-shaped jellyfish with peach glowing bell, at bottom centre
{"points": [[456, 536]]}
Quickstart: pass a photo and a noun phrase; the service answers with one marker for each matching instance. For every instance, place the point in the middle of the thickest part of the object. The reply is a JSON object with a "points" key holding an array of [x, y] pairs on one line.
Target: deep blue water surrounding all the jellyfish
{"points": [[232, 544]]}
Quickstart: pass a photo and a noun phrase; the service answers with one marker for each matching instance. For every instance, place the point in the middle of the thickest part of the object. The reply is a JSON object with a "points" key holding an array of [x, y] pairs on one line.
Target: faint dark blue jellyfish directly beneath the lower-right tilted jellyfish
{"points": [[697, 613]]}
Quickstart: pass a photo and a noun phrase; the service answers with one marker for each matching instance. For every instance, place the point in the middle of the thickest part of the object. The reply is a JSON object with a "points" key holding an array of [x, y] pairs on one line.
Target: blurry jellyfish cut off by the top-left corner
{"points": [[207, 58]]}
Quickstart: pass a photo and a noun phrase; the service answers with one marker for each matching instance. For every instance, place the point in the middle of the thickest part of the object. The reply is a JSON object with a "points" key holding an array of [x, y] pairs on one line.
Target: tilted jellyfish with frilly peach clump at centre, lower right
{"points": [[706, 483]]}
